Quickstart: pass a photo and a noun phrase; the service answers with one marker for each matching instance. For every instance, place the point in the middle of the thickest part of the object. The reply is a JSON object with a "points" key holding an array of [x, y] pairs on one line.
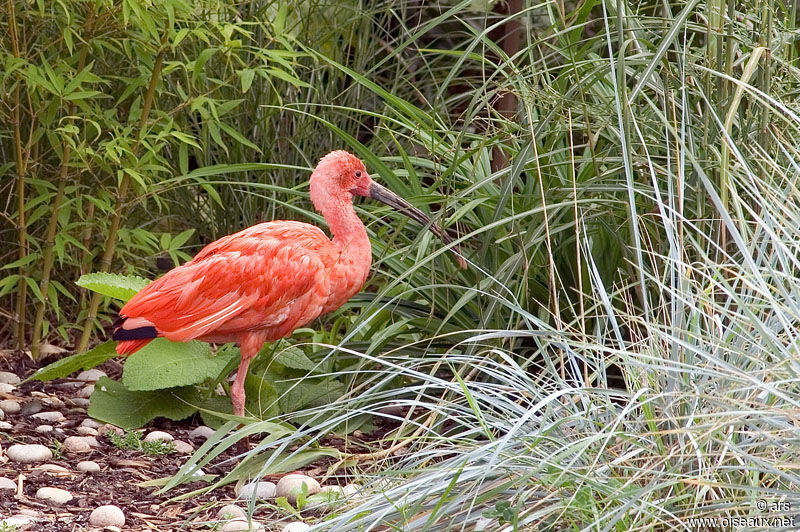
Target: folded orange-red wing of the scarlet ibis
{"points": [[248, 279]]}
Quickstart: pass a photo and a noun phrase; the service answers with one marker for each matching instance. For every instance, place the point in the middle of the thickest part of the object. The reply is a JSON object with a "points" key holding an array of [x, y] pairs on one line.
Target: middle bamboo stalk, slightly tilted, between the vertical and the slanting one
{"points": [[52, 225]]}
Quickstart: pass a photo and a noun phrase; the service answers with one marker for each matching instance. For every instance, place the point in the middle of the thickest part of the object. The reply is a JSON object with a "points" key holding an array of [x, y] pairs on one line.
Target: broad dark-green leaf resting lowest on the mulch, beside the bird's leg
{"points": [[113, 403]]}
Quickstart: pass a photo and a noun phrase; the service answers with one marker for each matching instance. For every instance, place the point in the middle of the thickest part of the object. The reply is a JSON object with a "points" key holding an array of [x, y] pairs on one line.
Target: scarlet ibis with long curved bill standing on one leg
{"points": [[260, 284]]}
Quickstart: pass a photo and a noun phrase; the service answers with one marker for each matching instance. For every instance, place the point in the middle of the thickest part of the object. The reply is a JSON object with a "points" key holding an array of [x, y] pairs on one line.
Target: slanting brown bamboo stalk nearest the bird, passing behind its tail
{"points": [[122, 193]]}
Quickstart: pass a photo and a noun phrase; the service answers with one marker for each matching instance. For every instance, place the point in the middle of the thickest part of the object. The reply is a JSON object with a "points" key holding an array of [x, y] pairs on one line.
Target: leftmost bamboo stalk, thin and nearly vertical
{"points": [[22, 237]]}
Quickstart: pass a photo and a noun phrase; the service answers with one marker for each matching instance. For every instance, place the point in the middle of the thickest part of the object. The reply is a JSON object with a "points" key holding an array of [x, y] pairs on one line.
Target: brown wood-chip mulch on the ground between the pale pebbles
{"points": [[122, 472]]}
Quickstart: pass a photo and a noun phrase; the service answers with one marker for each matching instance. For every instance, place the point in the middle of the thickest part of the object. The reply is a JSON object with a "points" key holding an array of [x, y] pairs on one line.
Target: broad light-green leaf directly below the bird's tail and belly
{"points": [[164, 364]]}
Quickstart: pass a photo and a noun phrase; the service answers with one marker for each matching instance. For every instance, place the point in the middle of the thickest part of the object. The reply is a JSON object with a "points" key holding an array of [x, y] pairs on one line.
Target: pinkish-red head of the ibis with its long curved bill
{"points": [[340, 176]]}
